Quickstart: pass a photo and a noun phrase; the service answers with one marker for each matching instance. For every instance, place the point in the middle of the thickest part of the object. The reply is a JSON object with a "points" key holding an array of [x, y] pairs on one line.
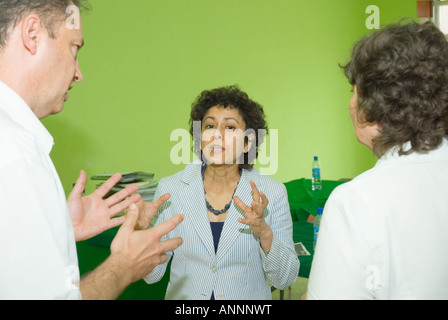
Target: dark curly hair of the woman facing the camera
{"points": [[230, 97]]}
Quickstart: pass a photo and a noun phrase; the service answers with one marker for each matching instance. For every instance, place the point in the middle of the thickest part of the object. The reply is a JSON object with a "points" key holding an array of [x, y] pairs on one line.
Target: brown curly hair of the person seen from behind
{"points": [[401, 75]]}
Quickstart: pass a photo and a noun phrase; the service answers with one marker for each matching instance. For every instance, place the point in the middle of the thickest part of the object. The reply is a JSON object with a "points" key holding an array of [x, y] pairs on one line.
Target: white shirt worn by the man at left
{"points": [[37, 243]]}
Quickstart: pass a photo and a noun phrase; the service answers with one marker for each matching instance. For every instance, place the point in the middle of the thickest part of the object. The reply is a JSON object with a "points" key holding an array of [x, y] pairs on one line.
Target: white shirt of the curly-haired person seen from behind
{"points": [[384, 235]]}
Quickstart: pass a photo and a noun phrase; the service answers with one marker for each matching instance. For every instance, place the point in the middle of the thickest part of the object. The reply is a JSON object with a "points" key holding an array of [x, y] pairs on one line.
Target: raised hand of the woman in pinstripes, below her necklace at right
{"points": [[255, 218]]}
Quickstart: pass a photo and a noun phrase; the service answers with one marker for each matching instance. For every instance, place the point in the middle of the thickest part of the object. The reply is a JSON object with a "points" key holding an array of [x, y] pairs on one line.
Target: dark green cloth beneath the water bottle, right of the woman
{"points": [[303, 201]]}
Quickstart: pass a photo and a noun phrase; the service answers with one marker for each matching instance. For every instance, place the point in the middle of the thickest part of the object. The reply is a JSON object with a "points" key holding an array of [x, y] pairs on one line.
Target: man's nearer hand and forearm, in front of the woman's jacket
{"points": [[134, 254]]}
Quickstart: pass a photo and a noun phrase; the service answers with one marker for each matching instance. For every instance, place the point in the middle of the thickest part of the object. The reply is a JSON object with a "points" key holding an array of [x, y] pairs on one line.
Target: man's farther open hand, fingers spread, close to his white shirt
{"points": [[92, 215]]}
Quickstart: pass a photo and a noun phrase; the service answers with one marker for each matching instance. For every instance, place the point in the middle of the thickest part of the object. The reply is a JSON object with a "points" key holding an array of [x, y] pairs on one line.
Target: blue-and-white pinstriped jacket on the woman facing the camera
{"points": [[239, 269]]}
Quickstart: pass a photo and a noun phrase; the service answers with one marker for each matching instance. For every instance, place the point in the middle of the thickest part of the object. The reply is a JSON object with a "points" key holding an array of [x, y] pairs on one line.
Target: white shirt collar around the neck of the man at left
{"points": [[16, 108]]}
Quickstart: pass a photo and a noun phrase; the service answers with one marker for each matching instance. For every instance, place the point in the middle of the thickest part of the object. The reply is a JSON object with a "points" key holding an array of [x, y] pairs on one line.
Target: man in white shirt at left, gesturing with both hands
{"points": [[38, 228]]}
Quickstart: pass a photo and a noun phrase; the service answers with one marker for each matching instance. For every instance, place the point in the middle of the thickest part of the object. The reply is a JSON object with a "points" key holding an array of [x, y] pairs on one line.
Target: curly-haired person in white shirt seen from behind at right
{"points": [[384, 234]]}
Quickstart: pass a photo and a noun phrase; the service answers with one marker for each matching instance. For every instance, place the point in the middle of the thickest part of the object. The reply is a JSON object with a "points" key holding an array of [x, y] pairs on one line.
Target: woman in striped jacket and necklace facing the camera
{"points": [[235, 240]]}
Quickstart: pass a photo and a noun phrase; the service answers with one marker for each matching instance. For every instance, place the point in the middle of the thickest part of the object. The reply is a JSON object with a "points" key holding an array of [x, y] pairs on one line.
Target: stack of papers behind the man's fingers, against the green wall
{"points": [[145, 181]]}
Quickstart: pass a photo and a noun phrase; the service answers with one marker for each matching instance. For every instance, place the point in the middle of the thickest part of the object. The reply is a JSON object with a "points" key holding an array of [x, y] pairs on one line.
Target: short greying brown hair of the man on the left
{"points": [[50, 11]]}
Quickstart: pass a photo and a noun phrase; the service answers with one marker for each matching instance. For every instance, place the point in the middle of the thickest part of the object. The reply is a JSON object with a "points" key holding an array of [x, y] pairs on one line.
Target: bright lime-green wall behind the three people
{"points": [[144, 63]]}
